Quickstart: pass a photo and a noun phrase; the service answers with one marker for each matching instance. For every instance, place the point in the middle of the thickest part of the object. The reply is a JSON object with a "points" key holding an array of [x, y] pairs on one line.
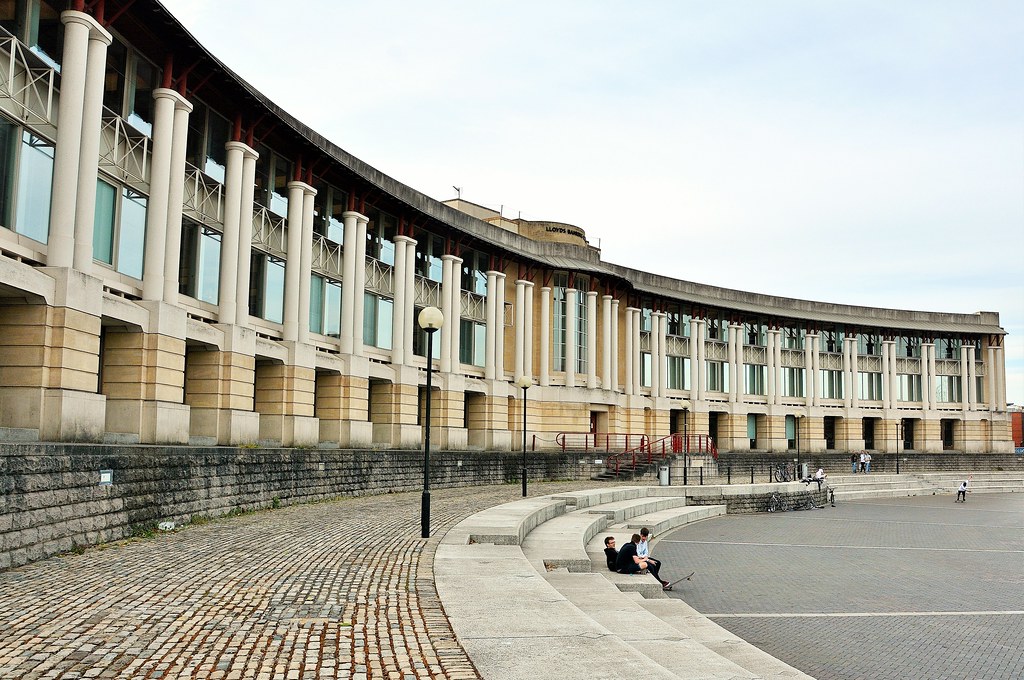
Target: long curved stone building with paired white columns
{"points": [[183, 262]]}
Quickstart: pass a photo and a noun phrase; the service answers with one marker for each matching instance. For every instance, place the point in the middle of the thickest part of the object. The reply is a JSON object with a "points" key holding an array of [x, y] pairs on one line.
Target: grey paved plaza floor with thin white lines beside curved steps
{"points": [[886, 588]]}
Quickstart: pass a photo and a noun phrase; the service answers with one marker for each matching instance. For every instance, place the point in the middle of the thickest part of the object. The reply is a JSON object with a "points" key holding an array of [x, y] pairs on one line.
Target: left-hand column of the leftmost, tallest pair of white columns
{"points": [[68, 151]]}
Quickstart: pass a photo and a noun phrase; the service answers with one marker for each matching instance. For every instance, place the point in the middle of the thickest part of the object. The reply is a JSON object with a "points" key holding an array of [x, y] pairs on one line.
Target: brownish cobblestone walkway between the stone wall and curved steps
{"points": [[342, 589]]}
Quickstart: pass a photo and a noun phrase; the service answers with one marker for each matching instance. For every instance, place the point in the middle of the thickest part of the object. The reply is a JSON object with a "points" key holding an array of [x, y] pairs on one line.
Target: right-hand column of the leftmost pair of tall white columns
{"points": [[93, 120]]}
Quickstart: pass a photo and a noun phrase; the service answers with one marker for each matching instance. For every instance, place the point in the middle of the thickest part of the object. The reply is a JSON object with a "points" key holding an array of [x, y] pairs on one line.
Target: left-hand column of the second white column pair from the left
{"points": [[160, 185]]}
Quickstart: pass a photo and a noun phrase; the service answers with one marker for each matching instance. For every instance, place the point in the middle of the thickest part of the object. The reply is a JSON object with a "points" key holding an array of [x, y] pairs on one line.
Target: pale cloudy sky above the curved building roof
{"points": [[864, 152]]}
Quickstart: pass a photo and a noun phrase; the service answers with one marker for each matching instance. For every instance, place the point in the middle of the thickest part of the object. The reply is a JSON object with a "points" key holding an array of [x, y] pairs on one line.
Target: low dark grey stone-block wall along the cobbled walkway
{"points": [[52, 499]]}
